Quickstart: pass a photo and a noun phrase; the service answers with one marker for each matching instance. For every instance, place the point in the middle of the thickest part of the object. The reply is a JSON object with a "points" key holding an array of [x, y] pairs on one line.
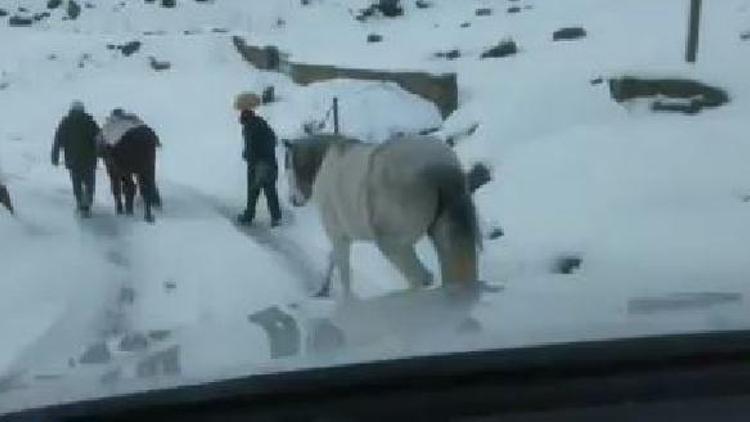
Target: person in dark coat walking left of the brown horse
{"points": [[76, 136]]}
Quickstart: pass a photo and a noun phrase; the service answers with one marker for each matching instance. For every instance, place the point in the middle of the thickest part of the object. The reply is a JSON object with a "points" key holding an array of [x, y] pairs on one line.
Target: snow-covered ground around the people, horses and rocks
{"points": [[654, 204]]}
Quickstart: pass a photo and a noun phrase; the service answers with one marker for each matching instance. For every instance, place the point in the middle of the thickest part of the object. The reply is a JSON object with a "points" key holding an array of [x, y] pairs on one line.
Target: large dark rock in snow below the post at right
{"points": [[679, 95]]}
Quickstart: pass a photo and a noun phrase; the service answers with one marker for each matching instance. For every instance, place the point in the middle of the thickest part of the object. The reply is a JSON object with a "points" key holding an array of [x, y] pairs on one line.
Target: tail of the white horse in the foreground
{"points": [[455, 230]]}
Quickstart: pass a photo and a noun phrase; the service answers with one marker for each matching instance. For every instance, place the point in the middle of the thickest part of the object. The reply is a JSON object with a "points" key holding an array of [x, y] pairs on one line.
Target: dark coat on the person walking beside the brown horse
{"points": [[76, 136]]}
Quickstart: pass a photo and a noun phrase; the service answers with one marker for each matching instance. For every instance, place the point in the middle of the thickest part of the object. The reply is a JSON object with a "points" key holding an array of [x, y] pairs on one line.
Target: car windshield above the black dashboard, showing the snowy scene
{"points": [[196, 190]]}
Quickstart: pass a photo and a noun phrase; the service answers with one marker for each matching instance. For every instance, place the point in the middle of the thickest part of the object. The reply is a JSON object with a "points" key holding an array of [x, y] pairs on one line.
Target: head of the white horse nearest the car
{"points": [[302, 161]]}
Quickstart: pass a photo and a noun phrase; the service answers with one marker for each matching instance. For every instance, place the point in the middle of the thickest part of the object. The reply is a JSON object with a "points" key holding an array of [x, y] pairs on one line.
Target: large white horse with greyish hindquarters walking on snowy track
{"points": [[391, 194]]}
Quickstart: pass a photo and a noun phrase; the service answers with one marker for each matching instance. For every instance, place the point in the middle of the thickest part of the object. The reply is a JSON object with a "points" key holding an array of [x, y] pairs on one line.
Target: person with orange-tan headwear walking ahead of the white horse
{"points": [[260, 154]]}
